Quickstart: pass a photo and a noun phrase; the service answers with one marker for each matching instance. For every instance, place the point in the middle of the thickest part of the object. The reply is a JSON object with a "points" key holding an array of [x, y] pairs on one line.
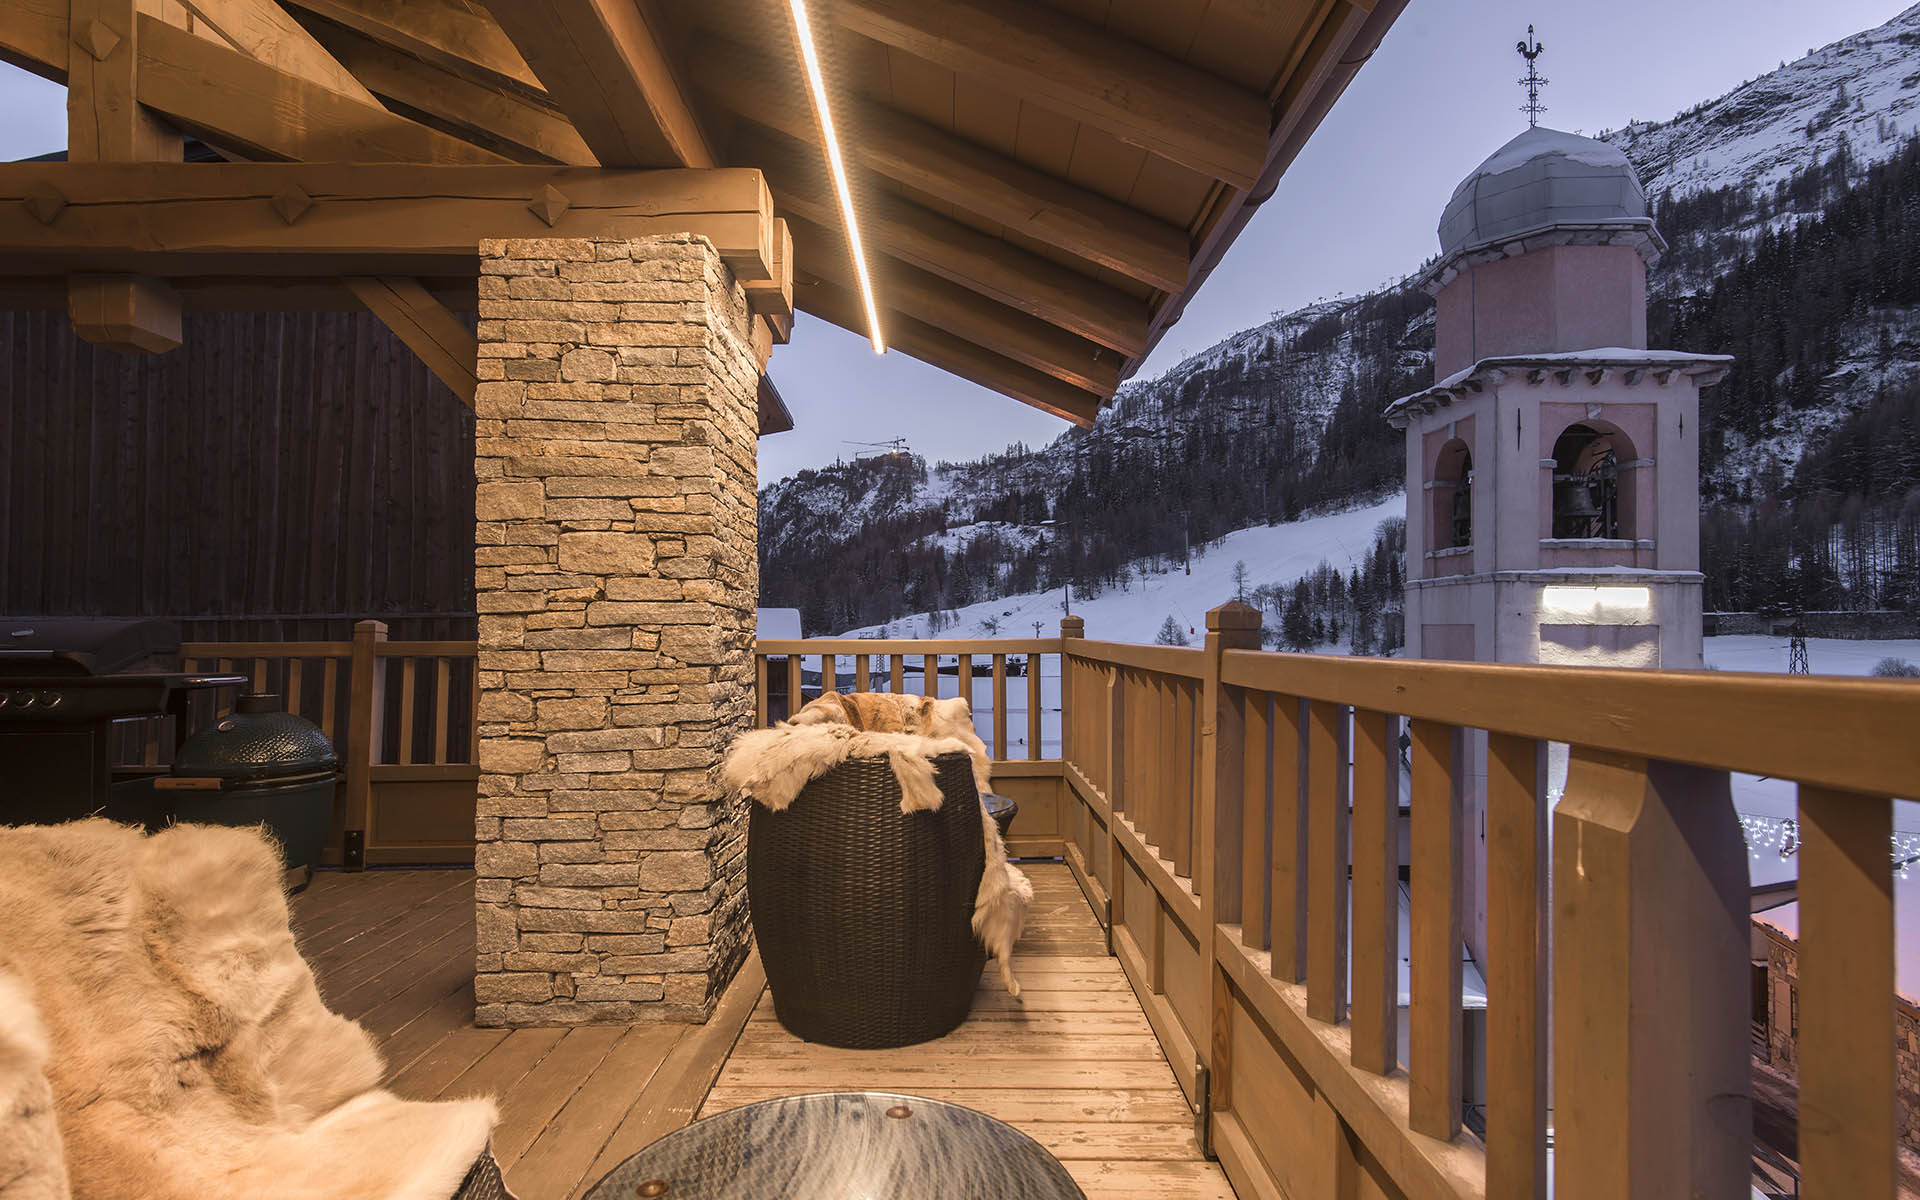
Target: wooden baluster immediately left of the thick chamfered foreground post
{"points": [[1516, 969]]}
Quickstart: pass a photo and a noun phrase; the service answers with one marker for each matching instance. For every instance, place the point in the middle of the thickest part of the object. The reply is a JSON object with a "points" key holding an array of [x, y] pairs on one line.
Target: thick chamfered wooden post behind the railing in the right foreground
{"points": [[1650, 984]]}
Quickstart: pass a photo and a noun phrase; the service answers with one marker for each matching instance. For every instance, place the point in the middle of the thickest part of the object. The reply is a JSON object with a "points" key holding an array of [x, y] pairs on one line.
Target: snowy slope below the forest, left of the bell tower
{"points": [[1276, 554]]}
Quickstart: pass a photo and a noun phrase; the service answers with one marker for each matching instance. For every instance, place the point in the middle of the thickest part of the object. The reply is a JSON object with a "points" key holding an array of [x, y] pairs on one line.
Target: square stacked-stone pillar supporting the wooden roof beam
{"points": [[615, 577]]}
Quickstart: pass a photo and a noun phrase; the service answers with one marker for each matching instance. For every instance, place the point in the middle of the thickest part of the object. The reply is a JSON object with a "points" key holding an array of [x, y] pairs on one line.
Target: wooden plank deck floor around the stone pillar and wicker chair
{"points": [[1072, 1061]]}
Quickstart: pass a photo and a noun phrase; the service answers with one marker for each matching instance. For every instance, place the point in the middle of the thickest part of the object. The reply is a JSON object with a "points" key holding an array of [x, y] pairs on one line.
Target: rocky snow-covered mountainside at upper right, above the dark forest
{"points": [[1861, 91]]}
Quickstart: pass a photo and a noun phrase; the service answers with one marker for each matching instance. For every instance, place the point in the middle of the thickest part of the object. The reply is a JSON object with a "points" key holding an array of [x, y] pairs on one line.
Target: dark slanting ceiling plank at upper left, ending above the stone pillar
{"points": [[506, 118]]}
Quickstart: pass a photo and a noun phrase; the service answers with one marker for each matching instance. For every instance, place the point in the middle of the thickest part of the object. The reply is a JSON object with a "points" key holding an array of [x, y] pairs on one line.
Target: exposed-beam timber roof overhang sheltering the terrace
{"points": [[1032, 226]]}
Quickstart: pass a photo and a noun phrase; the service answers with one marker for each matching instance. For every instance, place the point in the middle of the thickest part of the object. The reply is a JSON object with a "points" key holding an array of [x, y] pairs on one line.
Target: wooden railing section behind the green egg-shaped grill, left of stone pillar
{"points": [[402, 715]]}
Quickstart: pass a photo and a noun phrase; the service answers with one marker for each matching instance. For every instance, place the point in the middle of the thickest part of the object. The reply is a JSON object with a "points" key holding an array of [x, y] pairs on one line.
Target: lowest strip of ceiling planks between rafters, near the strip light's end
{"points": [[924, 297]]}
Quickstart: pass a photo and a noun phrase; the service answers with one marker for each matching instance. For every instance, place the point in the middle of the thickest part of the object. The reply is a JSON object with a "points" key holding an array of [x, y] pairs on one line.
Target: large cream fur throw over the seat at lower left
{"points": [[162, 1040]]}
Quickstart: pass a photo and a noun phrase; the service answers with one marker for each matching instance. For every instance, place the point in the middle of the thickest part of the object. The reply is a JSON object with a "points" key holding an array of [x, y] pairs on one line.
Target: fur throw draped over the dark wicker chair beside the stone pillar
{"points": [[775, 765]]}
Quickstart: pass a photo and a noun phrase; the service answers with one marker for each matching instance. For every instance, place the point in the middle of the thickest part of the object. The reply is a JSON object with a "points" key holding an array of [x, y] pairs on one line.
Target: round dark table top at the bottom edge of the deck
{"points": [[842, 1147]]}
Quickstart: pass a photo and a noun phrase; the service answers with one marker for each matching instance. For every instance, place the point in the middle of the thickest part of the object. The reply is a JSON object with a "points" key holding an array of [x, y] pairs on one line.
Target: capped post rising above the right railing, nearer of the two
{"points": [[1232, 627]]}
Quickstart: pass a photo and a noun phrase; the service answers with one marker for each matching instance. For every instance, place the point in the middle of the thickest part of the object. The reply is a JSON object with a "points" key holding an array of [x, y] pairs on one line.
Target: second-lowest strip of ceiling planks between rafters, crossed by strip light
{"points": [[961, 254]]}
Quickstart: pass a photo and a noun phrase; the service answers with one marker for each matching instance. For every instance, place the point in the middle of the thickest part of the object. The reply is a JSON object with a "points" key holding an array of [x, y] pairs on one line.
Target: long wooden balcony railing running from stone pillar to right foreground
{"points": [[1236, 821]]}
